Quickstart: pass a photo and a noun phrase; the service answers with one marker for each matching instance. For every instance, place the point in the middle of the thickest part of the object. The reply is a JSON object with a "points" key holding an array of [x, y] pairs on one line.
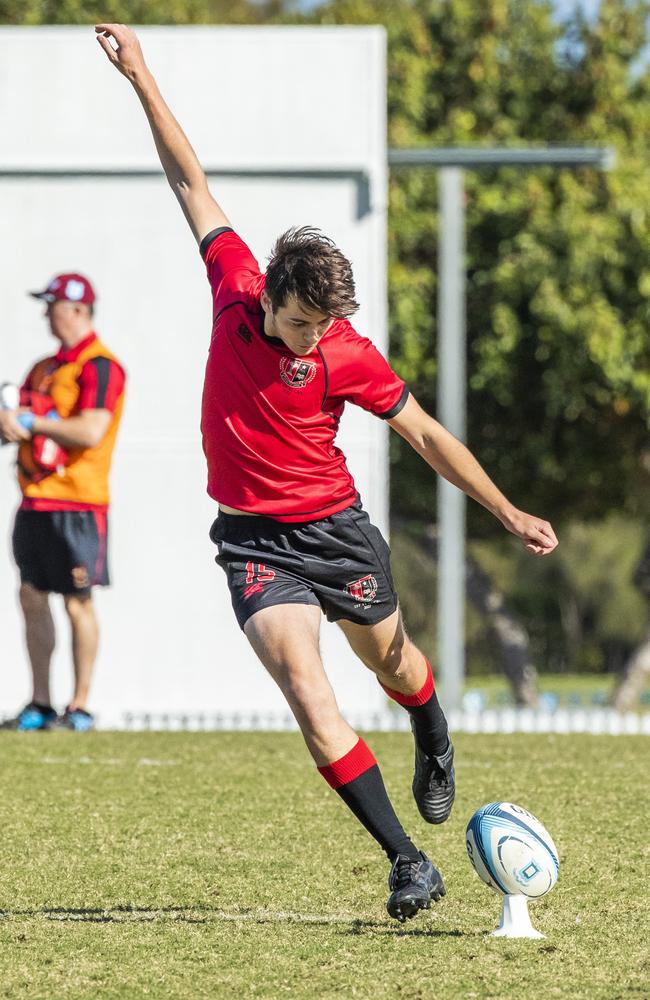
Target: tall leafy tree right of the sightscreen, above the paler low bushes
{"points": [[558, 273]]}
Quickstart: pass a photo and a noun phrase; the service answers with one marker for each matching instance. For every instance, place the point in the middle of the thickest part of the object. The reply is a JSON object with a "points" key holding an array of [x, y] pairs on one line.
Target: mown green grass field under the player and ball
{"points": [[184, 865]]}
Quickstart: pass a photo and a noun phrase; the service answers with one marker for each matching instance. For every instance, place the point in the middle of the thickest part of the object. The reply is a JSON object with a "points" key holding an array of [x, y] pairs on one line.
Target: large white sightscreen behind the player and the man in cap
{"points": [[78, 191]]}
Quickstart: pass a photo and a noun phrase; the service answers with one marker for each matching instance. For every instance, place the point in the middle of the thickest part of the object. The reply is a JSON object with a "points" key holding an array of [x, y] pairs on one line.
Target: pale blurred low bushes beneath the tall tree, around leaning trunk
{"points": [[581, 609]]}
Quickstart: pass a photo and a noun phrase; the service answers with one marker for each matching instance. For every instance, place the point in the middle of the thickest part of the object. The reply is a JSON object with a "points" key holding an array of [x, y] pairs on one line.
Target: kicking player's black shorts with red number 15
{"points": [[340, 564]]}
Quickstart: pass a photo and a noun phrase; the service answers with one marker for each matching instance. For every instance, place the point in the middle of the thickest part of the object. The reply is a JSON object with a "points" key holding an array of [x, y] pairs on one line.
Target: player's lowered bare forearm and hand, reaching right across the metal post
{"points": [[451, 459]]}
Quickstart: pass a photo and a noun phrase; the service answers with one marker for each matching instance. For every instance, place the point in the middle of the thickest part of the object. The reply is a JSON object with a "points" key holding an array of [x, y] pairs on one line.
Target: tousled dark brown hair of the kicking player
{"points": [[306, 264]]}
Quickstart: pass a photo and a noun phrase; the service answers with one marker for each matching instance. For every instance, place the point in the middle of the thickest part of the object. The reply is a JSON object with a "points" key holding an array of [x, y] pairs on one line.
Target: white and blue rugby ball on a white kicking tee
{"points": [[511, 851]]}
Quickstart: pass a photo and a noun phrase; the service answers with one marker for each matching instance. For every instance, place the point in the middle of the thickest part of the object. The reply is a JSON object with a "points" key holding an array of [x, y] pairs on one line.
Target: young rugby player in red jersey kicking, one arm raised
{"points": [[291, 534]]}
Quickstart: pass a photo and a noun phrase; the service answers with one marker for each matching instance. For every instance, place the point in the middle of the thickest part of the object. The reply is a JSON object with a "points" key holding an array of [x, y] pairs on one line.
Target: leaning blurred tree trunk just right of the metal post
{"points": [[504, 626]]}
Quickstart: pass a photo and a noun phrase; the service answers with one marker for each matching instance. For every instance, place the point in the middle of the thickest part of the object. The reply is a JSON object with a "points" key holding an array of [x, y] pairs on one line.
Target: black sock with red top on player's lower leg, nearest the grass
{"points": [[357, 779]]}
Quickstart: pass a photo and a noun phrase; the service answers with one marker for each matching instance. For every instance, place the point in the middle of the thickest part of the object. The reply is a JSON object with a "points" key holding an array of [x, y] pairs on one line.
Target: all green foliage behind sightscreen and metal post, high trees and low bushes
{"points": [[558, 283]]}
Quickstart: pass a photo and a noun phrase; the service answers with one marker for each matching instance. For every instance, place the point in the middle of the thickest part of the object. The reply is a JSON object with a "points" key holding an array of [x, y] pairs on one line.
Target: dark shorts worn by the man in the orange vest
{"points": [[62, 551]]}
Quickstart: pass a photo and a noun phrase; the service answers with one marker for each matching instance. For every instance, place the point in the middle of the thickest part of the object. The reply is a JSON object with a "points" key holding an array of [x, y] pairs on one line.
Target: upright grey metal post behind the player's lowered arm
{"points": [[451, 413]]}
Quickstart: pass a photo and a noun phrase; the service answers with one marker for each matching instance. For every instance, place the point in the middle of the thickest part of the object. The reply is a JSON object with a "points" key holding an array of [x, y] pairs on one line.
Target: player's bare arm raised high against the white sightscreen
{"points": [[184, 172]]}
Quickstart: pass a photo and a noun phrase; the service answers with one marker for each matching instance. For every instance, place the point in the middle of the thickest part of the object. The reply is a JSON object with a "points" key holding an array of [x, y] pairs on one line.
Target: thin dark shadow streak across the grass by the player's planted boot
{"points": [[124, 914]]}
